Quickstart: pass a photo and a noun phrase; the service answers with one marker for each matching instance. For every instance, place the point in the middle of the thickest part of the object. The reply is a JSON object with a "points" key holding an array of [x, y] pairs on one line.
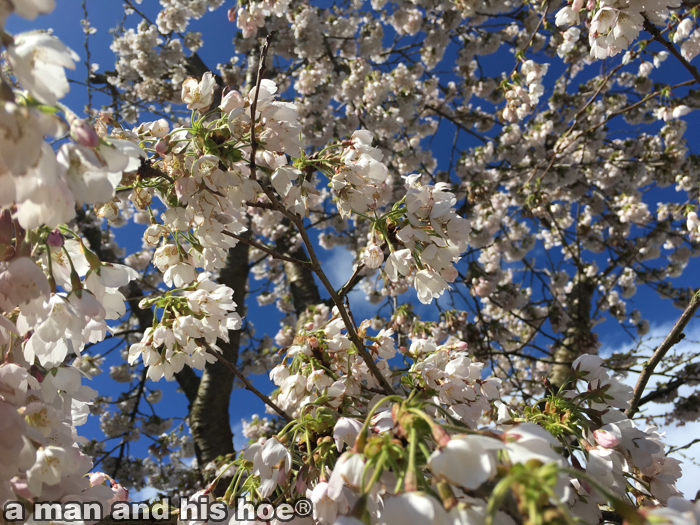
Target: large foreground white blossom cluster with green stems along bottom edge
{"points": [[353, 472]]}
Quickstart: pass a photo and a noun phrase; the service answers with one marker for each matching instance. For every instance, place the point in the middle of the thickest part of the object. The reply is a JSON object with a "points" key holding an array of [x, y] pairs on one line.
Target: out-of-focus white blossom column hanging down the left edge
{"points": [[56, 296]]}
